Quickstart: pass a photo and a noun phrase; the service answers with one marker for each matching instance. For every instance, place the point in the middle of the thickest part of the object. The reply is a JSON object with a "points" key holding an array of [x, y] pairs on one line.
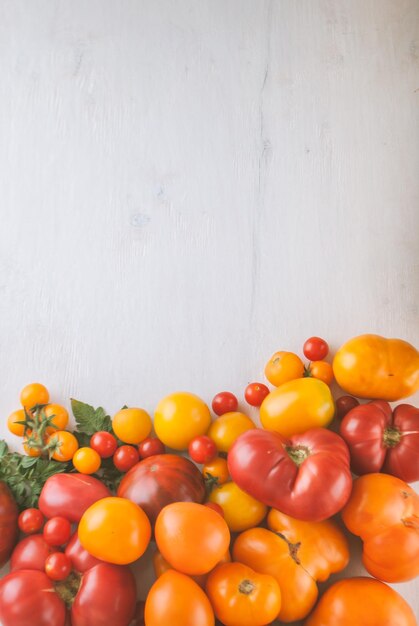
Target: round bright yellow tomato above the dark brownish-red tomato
{"points": [[179, 418]]}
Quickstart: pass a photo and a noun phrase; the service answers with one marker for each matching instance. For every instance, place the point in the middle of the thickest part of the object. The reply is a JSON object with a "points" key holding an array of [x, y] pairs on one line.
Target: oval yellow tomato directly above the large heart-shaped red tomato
{"points": [[297, 406]]}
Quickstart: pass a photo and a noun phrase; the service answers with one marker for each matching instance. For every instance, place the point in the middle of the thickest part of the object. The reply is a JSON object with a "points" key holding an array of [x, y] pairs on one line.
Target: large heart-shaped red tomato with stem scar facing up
{"points": [[312, 487]]}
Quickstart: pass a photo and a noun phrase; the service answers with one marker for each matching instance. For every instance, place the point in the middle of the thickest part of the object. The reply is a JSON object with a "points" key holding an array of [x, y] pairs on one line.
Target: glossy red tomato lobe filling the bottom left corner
{"points": [[26, 595]]}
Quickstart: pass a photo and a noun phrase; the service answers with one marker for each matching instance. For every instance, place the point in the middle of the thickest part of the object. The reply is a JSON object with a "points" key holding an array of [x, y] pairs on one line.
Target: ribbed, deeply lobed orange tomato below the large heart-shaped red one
{"points": [[297, 554]]}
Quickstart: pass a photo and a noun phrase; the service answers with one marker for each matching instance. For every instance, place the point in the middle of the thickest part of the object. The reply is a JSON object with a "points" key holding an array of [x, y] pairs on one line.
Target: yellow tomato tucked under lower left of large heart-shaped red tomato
{"points": [[241, 511]]}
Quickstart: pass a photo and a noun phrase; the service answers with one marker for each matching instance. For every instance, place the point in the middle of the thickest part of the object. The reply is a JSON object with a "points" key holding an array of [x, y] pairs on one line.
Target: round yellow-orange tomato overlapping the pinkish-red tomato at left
{"points": [[115, 530]]}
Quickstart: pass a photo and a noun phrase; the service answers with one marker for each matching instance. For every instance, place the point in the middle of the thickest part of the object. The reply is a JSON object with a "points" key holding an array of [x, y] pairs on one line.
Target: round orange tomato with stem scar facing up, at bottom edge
{"points": [[242, 597]]}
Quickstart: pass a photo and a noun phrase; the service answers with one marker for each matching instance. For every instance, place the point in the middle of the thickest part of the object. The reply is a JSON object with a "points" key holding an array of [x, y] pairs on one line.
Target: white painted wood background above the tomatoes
{"points": [[188, 186]]}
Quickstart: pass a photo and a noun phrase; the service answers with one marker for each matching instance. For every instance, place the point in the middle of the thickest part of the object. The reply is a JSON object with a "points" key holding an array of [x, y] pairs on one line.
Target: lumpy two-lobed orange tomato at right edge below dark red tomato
{"points": [[384, 511]]}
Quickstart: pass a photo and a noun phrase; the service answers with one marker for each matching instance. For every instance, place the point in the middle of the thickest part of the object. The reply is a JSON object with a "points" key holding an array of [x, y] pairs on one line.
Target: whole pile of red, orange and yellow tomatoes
{"points": [[242, 521]]}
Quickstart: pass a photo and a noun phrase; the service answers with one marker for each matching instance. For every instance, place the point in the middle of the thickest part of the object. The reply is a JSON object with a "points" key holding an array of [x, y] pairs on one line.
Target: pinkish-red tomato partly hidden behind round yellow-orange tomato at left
{"points": [[69, 495]]}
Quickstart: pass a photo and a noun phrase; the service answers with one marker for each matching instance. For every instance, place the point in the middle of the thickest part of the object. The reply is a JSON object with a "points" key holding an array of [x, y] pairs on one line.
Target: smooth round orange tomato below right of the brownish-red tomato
{"points": [[192, 537]]}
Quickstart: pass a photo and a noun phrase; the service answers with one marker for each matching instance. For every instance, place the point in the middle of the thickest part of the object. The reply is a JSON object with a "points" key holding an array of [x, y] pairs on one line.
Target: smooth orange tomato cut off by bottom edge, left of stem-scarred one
{"points": [[176, 600]]}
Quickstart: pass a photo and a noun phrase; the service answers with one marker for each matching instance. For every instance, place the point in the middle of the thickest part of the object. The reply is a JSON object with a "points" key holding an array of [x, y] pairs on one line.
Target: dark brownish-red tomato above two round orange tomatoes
{"points": [[159, 480]]}
